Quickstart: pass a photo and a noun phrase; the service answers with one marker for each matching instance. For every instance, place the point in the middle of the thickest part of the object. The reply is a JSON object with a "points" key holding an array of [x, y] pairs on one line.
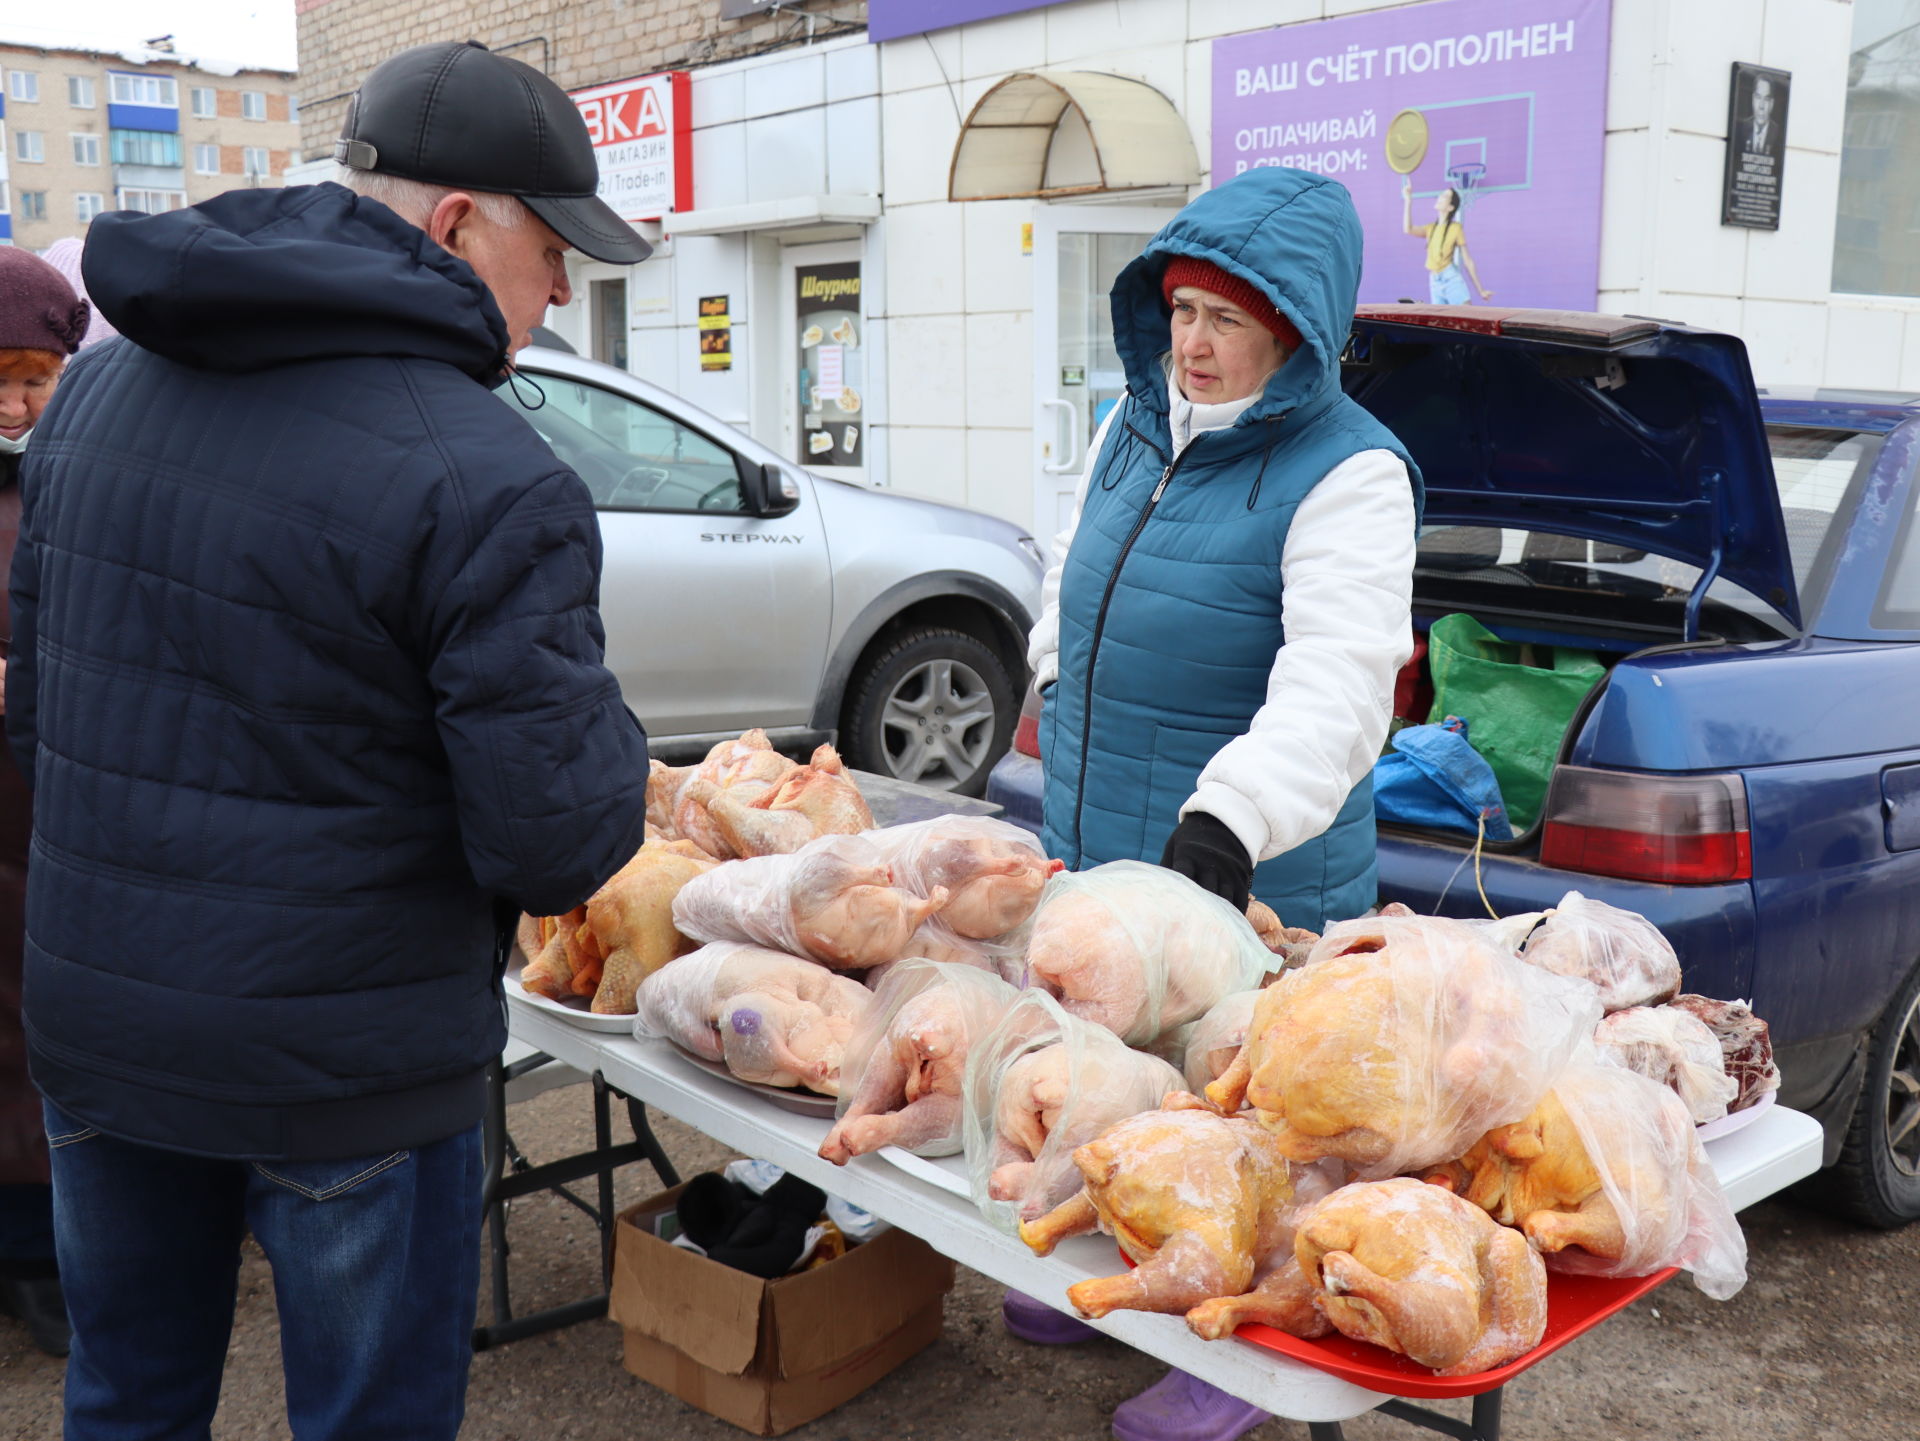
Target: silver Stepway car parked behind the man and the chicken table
{"points": [[742, 590]]}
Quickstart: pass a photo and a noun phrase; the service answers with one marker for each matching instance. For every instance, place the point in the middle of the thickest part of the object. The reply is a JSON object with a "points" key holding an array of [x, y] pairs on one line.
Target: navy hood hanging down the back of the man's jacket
{"points": [[258, 279]]}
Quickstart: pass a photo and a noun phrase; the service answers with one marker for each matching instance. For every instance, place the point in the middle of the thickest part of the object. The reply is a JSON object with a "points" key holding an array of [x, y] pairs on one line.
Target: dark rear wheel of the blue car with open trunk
{"points": [[1879, 1169]]}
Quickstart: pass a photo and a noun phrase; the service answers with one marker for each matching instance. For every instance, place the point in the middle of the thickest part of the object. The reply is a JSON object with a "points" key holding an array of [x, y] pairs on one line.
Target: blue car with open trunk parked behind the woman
{"points": [[1746, 565]]}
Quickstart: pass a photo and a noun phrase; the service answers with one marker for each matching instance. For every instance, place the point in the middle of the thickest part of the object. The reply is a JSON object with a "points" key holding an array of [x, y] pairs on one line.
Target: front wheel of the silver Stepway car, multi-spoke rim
{"points": [[932, 707]]}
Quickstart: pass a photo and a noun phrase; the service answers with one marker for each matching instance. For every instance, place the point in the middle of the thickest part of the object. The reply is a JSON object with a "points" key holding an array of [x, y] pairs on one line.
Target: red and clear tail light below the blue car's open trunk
{"points": [[1679, 830]]}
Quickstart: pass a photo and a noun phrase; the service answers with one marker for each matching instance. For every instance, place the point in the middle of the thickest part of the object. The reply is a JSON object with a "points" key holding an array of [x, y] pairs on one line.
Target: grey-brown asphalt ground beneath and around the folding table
{"points": [[1823, 1344]]}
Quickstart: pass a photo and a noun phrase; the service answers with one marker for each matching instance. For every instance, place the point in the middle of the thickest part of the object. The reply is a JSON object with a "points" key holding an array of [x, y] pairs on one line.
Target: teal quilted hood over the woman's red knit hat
{"points": [[1293, 237]]}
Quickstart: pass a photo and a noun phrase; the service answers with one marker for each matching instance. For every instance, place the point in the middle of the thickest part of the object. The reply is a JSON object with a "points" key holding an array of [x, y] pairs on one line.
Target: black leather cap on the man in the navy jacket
{"points": [[462, 116]]}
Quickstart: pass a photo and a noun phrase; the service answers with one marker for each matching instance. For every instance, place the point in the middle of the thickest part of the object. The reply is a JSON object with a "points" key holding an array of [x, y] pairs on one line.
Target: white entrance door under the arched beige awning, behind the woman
{"points": [[1078, 254]]}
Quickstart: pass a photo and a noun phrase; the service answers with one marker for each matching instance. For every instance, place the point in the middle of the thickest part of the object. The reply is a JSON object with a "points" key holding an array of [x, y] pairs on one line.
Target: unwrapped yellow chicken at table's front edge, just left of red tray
{"points": [[1199, 1202]]}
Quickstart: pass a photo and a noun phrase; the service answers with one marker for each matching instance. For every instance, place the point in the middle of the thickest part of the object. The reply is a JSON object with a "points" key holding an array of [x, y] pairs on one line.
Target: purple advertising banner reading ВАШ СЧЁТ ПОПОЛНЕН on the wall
{"points": [[1472, 141]]}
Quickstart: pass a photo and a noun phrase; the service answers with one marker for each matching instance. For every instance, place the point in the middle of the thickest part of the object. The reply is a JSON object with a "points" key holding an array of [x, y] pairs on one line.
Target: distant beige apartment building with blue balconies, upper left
{"points": [[147, 130]]}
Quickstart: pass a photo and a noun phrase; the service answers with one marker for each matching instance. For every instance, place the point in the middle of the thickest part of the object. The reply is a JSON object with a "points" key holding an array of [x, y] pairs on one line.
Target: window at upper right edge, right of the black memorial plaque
{"points": [[1877, 241]]}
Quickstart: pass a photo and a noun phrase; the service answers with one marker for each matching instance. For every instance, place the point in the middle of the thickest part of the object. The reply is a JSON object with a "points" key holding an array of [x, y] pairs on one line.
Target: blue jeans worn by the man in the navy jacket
{"points": [[375, 1271]]}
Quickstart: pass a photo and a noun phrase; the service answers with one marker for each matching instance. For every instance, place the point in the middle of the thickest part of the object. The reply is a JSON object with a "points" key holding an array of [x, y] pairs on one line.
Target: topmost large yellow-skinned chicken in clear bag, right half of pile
{"points": [[1404, 1052]]}
